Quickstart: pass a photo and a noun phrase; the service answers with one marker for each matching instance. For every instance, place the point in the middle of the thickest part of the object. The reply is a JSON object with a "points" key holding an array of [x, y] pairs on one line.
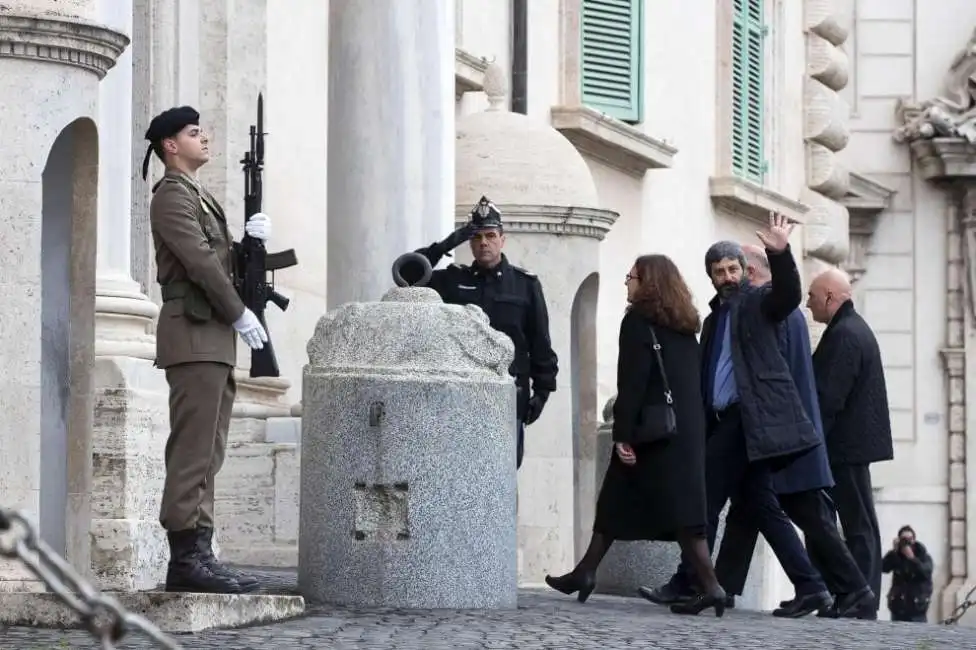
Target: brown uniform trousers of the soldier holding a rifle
{"points": [[201, 396]]}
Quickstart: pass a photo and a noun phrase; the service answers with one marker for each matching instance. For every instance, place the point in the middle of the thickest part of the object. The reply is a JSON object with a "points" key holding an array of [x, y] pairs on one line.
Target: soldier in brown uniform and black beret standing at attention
{"points": [[200, 319]]}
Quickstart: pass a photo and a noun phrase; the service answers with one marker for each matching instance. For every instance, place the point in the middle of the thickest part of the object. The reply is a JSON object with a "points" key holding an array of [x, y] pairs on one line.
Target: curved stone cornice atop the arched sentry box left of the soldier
{"points": [[60, 41]]}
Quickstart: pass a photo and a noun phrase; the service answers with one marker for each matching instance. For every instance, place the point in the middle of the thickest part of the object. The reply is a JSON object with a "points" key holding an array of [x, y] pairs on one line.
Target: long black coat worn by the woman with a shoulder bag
{"points": [[664, 491]]}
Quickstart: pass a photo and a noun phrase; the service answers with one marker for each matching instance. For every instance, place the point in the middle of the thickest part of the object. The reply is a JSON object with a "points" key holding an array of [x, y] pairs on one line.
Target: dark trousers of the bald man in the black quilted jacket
{"points": [[853, 499]]}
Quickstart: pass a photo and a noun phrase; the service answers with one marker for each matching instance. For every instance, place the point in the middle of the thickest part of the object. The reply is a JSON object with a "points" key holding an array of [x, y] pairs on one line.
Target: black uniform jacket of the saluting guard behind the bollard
{"points": [[513, 300]]}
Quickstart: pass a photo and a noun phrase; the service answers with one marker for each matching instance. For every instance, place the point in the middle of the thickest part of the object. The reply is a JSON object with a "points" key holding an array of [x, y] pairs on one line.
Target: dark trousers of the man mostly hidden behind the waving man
{"points": [[812, 512]]}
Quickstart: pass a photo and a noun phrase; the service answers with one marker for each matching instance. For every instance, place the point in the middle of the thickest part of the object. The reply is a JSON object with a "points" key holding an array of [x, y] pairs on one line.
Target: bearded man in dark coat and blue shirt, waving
{"points": [[757, 421]]}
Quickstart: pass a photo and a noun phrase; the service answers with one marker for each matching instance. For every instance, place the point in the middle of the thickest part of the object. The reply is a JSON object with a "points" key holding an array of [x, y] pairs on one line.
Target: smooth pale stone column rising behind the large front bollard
{"points": [[391, 138]]}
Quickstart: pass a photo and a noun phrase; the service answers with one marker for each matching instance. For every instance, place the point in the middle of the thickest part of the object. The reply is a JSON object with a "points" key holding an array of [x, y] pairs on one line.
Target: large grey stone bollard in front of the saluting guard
{"points": [[408, 457]]}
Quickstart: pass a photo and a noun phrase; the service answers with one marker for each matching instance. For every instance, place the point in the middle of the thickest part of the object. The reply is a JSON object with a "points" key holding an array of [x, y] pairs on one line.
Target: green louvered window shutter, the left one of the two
{"points": [[611, 62]]}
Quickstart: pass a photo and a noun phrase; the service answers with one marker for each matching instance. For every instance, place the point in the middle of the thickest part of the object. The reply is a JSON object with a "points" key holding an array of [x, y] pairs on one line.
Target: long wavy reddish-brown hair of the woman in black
{"points": [[663, 296]]}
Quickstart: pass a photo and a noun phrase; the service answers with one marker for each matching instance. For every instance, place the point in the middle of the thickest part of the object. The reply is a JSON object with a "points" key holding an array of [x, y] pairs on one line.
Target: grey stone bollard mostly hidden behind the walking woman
{"points": [[629, 565]]}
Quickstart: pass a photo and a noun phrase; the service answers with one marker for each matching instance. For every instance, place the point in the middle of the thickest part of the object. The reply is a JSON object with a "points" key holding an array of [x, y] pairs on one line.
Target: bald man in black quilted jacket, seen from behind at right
{"points": [[854, 410]]}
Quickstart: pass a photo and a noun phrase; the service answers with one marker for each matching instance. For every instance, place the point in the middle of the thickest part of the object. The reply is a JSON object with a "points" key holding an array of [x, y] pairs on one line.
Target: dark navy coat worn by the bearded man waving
{"points": [[774, 419]]}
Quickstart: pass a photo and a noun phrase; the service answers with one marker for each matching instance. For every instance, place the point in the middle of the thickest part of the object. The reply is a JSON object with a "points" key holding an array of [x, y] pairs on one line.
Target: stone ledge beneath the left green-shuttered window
{"points": [[611, 141]]}
